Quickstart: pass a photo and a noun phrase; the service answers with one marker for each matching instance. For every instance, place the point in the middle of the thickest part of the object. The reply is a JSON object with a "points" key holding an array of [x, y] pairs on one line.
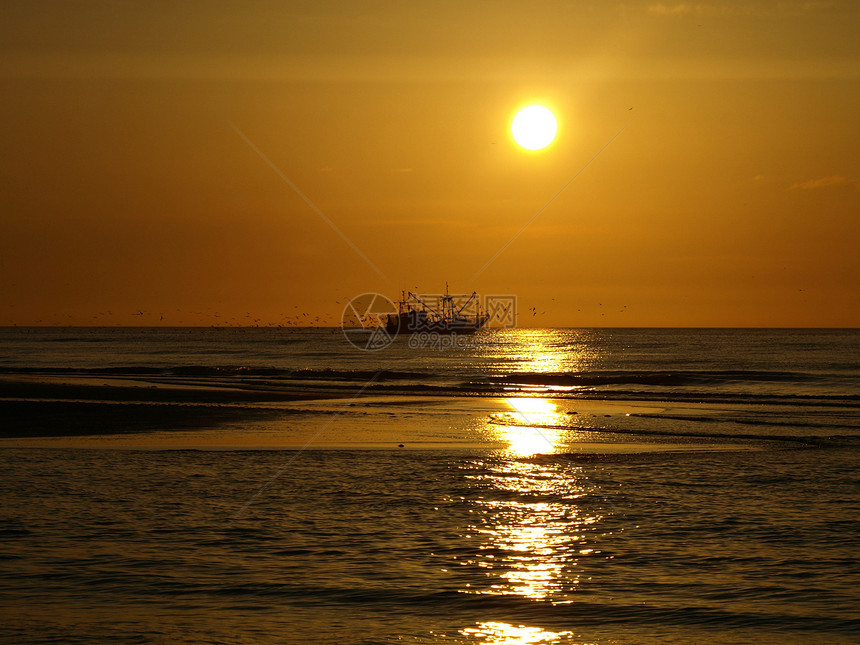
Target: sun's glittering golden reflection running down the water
{"points": [[532, 525]]}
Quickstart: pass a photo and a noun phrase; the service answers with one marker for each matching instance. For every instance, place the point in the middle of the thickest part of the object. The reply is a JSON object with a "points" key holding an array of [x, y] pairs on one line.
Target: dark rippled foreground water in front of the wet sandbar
{"points": [[421, 547]]}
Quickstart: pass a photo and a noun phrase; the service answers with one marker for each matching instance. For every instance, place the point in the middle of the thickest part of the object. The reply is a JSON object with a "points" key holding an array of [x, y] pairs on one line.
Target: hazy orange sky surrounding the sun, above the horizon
{"points": [[197, 163]]}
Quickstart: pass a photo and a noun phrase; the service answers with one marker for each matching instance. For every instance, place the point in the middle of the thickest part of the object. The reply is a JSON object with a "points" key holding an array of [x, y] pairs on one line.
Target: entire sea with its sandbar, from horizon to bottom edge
{"points": [[520, 486]]}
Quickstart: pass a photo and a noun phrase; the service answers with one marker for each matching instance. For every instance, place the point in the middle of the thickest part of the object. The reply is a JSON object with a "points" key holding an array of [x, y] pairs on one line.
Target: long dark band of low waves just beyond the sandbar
{"points": [[715, 386]]}
